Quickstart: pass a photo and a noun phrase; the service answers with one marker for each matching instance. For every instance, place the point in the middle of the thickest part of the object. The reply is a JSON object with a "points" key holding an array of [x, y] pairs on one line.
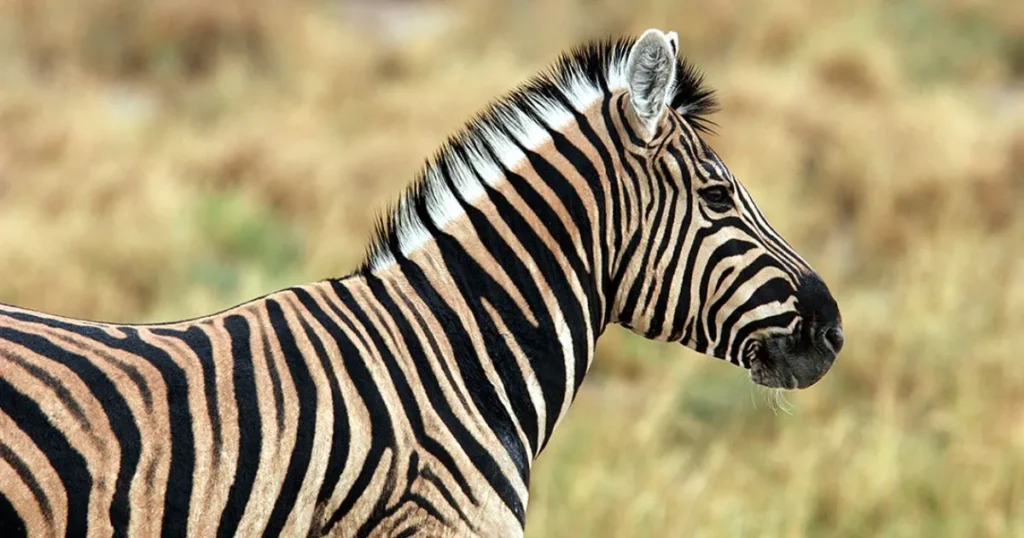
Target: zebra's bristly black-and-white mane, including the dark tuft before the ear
{"points": [[494, 140]]}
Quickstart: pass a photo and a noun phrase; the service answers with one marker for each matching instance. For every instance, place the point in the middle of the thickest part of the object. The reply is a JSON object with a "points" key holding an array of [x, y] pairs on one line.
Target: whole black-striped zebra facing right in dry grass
{"points": [[413, 396]]}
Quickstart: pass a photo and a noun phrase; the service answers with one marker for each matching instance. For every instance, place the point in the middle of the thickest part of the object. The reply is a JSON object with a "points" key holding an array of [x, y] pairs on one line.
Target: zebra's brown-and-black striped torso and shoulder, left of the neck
{"points": [[281, 417]]}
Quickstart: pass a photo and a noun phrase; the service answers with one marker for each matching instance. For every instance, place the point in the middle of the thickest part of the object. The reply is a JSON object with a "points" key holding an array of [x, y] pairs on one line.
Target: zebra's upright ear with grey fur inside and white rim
{"points": [[651, 74]]}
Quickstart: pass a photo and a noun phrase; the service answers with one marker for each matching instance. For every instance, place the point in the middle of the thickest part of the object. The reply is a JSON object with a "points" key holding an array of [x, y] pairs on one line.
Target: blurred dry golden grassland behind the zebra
{"points": [[164, 159]]}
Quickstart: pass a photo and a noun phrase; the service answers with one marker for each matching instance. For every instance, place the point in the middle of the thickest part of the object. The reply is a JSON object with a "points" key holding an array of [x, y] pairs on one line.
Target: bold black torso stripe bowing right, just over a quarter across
{"points": [[306, 397]]}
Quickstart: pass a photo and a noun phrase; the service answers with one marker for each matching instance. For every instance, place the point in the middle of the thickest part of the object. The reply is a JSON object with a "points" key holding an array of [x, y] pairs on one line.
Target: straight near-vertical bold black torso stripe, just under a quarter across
{"points": [[250, 427]]}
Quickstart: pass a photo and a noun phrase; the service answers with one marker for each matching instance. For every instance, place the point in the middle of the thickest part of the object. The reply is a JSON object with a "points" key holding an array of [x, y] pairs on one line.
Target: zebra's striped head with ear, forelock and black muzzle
{"points": [[709, 271]]}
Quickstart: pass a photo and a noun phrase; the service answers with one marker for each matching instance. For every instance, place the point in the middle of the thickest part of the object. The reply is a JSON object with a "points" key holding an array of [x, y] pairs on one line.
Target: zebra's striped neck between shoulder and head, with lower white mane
{"points": [[502, 262]]}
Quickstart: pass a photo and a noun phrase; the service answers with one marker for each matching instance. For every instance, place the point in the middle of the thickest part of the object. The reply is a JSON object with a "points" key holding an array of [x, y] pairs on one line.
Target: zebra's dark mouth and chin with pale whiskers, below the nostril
{"points": [[788, 362]]}
